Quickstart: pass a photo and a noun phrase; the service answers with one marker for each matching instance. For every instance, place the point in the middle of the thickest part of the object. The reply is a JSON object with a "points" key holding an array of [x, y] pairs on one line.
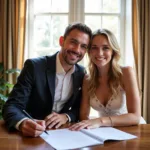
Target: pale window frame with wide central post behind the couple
{"points": [[76, 14]]}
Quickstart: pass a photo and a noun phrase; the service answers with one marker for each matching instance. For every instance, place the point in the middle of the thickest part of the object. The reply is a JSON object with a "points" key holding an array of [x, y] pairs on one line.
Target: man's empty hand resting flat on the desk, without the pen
{"points": [[56, 120]]}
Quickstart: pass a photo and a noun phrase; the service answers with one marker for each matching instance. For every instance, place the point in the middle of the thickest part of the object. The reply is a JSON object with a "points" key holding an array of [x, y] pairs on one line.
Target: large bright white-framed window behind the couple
{"points": [[48, 19]]}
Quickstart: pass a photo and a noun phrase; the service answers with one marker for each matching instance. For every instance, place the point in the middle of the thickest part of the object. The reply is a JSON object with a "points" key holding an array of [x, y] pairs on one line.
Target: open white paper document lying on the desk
{"points": [[64, 139]]}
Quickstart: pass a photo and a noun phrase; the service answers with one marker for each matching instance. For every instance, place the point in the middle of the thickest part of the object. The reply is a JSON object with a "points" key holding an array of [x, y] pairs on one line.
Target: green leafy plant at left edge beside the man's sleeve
{"points": [[5, 86]]}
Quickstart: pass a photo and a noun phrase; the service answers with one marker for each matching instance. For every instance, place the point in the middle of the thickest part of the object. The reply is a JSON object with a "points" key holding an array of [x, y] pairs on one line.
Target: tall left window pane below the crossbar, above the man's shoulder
{"points": [[42, 25]]}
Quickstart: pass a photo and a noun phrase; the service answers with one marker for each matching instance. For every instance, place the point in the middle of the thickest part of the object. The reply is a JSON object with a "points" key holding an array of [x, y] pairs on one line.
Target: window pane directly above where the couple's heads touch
{"points": [[94, 22]]}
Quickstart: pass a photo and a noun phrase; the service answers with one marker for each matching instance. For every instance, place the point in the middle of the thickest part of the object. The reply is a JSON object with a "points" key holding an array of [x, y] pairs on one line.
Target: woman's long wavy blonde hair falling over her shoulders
{"points": [[114, 72]]}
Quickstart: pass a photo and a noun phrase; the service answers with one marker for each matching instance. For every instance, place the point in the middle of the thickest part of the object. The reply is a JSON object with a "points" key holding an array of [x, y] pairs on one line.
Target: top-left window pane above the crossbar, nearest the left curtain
{"points": [[42, 6]]}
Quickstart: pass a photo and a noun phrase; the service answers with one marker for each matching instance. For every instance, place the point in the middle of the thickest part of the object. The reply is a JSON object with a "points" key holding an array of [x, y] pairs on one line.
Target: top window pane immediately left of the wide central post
{"points": [[60, 6]]}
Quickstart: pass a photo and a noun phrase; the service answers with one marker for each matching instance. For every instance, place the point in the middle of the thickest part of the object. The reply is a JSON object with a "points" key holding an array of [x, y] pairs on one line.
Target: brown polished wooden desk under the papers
{"points": [[15, 141]]}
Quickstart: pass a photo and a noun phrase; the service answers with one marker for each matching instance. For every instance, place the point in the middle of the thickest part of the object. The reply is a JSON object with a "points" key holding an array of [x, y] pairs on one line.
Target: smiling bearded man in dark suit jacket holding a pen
{"points": [[49, 88]]}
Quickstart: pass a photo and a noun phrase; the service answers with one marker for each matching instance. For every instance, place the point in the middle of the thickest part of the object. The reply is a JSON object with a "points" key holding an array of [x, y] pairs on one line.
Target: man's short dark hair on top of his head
{"points": [[79, 26]]}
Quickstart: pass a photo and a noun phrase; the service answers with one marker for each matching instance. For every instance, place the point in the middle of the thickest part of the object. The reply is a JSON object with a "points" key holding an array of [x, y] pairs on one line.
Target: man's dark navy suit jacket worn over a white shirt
{"points": [[35, 90]]}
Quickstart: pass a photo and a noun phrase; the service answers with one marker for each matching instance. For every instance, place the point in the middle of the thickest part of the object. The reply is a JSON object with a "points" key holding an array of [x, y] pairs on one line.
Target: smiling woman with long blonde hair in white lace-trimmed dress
{"points": [[108, 88]]}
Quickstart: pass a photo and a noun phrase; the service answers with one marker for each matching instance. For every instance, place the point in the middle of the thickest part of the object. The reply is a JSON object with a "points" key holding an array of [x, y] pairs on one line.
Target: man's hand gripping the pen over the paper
{"points": [[32, 128]]}
